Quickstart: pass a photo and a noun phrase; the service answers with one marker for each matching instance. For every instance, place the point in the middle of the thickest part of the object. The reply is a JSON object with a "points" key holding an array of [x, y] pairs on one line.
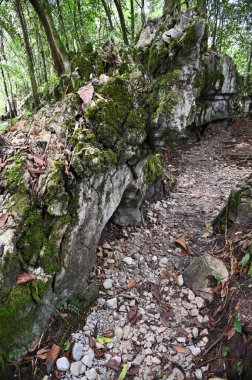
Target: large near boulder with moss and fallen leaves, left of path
{"points": [[67, 170]]}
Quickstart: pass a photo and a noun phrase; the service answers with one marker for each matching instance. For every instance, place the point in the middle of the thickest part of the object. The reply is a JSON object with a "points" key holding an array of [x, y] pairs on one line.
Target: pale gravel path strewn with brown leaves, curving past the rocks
{"points": [[159, 326]]}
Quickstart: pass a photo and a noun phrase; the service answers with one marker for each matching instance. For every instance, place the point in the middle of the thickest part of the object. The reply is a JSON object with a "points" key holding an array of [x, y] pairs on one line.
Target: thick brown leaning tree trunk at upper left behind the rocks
{"points": [[58, 52]]}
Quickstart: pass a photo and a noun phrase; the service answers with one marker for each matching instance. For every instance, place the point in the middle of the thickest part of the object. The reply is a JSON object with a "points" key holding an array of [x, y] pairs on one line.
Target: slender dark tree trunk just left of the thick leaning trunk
{"points": [[28, 51]]}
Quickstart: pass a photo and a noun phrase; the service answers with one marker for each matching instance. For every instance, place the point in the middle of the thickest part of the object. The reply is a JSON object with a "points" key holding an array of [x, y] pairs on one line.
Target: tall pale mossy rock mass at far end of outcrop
{"points": [[192, 86]]}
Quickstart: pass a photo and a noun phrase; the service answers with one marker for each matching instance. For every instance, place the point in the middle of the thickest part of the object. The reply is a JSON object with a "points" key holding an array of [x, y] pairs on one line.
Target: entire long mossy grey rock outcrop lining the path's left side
{"points": [[62, 179]]}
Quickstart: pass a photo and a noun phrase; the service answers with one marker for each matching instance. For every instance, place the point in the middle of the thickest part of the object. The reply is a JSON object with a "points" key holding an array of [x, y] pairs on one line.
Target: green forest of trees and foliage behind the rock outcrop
{"points": [[40, 38]]}
